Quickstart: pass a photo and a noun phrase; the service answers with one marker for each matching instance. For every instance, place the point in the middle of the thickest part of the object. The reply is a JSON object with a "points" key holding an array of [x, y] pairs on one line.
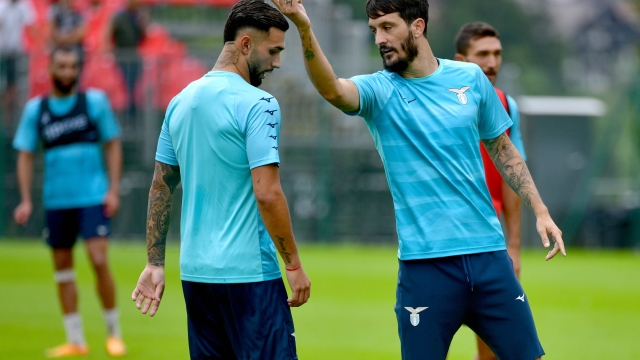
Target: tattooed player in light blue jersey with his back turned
{"points": [[220, 138]]}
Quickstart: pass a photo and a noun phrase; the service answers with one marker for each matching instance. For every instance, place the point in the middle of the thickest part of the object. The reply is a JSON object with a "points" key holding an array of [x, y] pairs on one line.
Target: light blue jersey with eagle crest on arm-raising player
{"points": [[426, 131]]}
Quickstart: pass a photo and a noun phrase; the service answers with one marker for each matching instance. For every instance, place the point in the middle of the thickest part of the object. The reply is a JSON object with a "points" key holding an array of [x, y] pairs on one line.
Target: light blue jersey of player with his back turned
{"points": [[218, 129]]}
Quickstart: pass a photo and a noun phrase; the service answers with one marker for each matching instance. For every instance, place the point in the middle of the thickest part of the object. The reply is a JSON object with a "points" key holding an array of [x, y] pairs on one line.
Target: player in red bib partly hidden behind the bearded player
{"points": [[479, 43]]}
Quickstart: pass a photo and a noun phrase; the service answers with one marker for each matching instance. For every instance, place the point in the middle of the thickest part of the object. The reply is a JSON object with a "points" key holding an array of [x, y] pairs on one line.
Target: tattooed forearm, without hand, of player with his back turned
{"points": [[165, 180]]}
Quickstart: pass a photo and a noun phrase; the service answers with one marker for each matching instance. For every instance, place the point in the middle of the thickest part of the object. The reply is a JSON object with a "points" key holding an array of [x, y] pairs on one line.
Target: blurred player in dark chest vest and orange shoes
{"points": [[79, 198]]}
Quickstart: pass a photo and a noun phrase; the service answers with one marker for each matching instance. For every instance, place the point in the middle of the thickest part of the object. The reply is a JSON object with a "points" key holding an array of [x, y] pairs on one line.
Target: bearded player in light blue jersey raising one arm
{"points": [[427, 116]]}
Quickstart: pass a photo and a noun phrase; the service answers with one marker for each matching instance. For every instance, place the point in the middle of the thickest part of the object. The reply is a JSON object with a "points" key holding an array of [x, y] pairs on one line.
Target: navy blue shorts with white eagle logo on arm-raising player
{"points": [[435, 297]]}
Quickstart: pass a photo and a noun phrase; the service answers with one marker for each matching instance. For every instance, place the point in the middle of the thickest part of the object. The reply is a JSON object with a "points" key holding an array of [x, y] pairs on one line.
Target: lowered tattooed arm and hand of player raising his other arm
{"points": [[514, 171]]}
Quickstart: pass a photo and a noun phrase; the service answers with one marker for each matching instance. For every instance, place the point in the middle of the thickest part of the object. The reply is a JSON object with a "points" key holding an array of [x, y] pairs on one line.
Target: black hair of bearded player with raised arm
{"points": [[409, 10]]}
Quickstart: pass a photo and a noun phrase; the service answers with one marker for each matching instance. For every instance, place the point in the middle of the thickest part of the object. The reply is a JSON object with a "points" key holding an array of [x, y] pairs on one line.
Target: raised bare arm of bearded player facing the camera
{"points": [[341, 93]]}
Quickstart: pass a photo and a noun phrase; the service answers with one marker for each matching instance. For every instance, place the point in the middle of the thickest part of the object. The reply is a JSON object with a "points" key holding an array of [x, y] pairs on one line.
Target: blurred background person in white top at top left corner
{"points": [[15, 16]]}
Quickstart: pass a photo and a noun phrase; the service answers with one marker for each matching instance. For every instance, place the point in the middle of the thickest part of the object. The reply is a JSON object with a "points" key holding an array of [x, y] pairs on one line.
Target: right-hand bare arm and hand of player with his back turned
{"points": [[274, 211]]}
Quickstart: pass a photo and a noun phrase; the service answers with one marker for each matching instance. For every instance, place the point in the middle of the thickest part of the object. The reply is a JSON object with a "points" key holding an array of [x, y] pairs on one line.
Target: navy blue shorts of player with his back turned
{"points": [[249, 321]]}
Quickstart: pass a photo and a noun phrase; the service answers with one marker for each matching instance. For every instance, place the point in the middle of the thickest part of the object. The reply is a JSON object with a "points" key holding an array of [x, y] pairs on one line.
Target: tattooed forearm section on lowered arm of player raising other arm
{"points": [[512, 167]]}
